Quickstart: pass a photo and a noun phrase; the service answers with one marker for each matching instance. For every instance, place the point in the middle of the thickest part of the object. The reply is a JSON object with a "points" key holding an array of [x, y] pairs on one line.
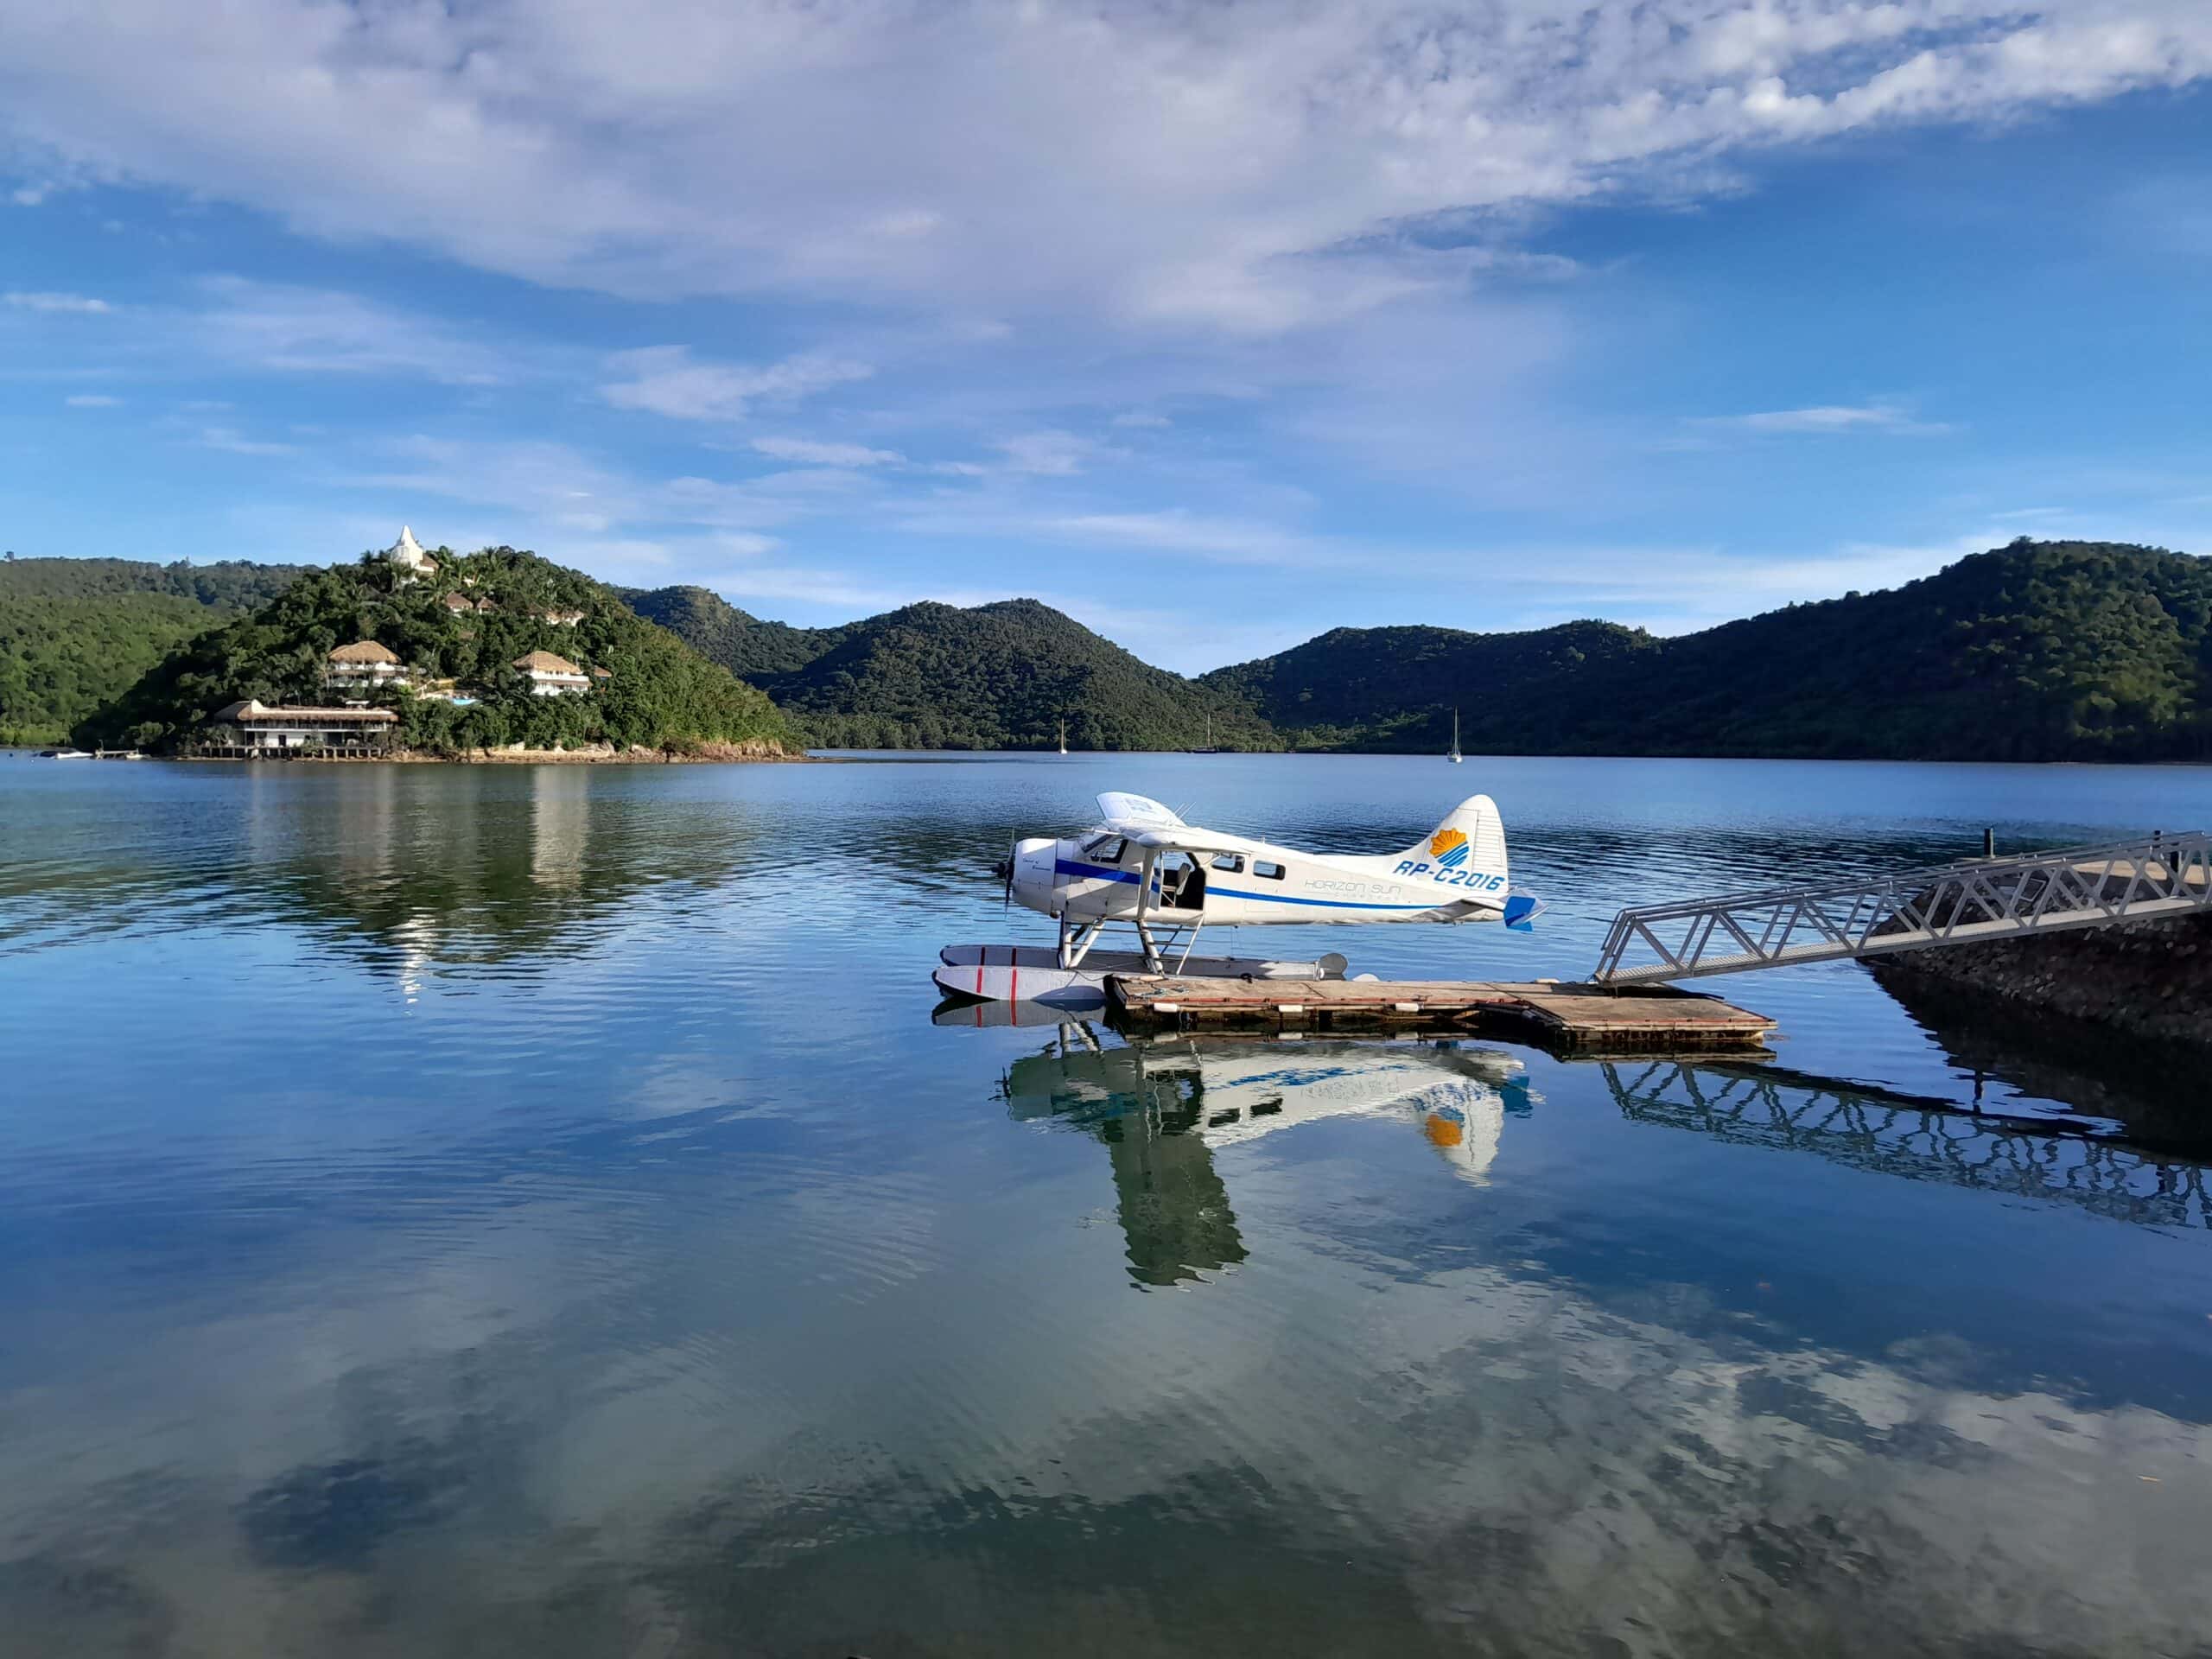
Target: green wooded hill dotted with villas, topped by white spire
{"points": [[660, 693]]}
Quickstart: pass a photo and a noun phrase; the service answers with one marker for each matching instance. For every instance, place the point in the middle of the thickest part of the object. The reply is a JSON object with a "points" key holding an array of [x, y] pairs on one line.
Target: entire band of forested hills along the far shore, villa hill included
{"points": [[2038, 651]]}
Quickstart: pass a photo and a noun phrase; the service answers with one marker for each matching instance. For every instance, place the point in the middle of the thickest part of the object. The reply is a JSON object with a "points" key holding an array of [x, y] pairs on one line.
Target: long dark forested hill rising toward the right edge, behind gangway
{"points": [[2038, 651]]}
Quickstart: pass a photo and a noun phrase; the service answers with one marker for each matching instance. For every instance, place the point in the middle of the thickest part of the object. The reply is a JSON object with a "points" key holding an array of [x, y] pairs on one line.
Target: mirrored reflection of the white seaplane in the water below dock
{"points": [[1165, 1109]]}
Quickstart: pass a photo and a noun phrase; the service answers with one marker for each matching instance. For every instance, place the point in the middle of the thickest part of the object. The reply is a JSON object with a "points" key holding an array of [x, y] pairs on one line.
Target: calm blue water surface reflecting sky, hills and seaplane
{"points": [[534, 1211]]}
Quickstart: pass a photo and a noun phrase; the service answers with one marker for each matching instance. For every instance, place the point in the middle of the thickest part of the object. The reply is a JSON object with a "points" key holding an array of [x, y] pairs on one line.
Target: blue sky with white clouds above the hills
{"points": [[1211, 324]]}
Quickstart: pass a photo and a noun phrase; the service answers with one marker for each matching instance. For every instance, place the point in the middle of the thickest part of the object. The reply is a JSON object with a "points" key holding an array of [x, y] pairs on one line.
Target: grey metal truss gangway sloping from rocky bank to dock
{"points": [[1912, 910]]}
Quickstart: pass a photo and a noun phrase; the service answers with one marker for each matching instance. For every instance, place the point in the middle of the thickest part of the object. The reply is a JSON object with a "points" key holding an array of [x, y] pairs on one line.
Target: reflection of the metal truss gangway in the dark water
{"points": [[1923, 1142]]}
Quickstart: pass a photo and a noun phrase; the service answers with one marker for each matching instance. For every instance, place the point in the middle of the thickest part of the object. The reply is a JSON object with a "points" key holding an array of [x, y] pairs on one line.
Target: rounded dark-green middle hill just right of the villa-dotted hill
{"points": [[988, 678]]}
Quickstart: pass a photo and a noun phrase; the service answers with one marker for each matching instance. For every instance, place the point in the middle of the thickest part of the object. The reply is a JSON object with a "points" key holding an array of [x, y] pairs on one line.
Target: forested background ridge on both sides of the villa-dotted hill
{"points": [[2036, 651]]}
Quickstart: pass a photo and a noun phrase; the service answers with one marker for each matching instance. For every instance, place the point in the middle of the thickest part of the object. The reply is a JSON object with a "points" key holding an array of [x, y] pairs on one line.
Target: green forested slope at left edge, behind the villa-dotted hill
{"points": [[76, 634]]}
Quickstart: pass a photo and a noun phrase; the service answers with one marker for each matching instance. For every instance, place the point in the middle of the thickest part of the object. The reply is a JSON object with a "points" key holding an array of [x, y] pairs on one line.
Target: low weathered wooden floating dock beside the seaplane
{"points": [[1583, 1019]]}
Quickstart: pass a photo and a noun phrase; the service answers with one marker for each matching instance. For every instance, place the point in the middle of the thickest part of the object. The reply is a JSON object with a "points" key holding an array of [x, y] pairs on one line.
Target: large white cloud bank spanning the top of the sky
{"points": [[1238, 169]]}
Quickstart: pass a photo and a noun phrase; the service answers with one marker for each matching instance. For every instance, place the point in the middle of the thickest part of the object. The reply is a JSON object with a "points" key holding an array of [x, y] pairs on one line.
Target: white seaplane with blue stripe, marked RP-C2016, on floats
{"points": [[1145, 870]]}
